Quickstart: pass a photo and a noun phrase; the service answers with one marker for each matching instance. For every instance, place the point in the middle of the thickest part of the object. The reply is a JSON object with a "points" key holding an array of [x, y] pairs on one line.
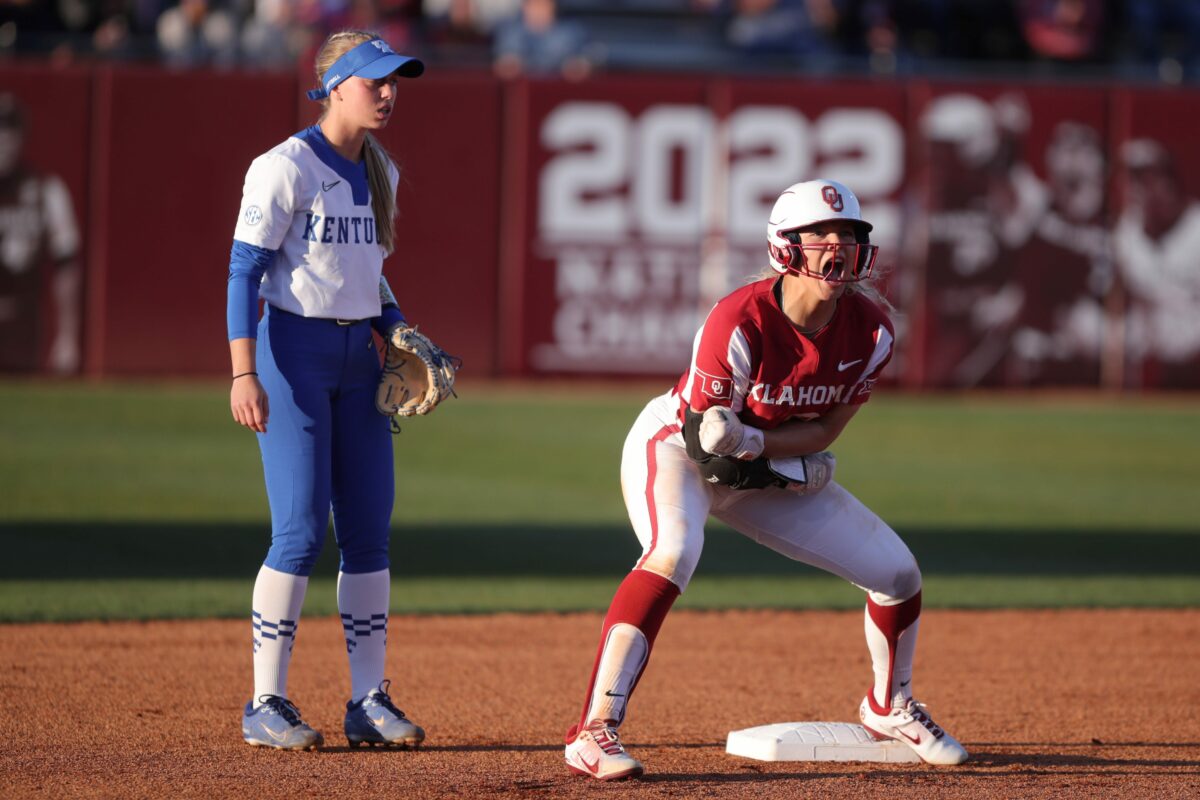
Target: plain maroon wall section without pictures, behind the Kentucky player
{"points": [[171, 154]]}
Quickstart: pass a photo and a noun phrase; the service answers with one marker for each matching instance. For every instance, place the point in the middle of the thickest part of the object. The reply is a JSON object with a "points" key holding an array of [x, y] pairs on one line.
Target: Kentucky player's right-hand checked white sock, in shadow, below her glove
{"points": [[363, 601]]}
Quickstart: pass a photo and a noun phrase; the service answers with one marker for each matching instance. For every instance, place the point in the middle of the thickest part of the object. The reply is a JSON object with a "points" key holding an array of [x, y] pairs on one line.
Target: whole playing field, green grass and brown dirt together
{"points": [[1059, 537]]}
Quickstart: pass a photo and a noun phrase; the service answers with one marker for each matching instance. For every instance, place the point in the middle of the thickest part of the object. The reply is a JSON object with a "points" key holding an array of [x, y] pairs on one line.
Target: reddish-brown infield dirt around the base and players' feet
{"points": [[1051, 705]]}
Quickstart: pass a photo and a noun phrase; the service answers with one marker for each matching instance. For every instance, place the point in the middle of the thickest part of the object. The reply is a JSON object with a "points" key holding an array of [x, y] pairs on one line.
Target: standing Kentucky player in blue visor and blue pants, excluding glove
{"points": [[316, 222]]}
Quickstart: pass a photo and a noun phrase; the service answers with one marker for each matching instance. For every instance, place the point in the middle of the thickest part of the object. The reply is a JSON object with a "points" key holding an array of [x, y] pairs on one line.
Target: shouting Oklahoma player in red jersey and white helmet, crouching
{"points": [[778, 371]]}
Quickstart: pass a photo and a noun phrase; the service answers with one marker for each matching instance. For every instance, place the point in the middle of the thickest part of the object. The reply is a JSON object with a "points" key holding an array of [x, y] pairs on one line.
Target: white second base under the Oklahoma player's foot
{"points": [[815, 742]]}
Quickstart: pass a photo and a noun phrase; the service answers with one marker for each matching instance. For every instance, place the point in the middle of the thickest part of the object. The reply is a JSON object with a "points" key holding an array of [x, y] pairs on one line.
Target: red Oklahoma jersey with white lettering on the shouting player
{"points": [[749, 357]]}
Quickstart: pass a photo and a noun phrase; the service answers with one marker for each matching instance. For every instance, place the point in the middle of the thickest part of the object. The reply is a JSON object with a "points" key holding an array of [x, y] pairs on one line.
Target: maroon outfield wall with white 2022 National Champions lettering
{"points": [[1034, 236]]}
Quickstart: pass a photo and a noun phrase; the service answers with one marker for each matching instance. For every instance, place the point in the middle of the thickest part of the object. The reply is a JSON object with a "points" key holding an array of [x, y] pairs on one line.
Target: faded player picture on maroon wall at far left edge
{"points": [[40, 251]]}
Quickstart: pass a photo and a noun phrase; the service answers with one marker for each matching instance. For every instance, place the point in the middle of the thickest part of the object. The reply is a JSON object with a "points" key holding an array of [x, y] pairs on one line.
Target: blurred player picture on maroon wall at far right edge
{"points": [[1157, 244]]}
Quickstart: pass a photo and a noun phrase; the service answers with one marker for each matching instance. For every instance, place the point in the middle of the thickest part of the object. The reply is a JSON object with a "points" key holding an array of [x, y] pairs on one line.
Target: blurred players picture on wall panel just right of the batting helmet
{"points": [[1011, 237]]}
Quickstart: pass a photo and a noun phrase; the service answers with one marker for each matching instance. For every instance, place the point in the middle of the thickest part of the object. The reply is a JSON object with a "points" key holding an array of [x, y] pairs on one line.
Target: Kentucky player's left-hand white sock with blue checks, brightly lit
{"points": [[275, 613]]}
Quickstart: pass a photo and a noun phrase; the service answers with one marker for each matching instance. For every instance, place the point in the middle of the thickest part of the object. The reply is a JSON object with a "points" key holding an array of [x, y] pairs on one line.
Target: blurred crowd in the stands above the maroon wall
{"points": [[1139, 40]]}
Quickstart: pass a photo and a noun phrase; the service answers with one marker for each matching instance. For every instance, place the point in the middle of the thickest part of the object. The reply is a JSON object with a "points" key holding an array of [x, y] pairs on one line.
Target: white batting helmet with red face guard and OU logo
{"points": [[809, 203]]}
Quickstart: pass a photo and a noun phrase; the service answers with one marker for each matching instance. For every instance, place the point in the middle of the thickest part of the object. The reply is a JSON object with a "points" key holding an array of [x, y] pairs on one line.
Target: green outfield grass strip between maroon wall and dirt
{"points": [[147, 501]]}
